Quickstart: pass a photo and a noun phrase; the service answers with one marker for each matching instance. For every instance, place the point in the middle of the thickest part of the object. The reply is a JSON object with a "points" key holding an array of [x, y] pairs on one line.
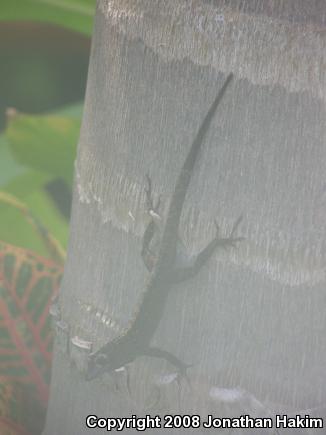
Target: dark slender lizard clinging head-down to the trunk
{"points": [[164, 274]]}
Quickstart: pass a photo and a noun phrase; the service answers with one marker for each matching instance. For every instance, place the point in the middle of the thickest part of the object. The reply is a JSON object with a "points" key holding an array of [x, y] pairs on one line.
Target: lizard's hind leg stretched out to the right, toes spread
{"points": [[186, 273]]}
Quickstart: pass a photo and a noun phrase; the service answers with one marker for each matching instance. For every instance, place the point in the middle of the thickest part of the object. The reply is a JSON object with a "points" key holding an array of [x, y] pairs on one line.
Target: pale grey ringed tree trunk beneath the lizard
{"points": [[252, 322]]}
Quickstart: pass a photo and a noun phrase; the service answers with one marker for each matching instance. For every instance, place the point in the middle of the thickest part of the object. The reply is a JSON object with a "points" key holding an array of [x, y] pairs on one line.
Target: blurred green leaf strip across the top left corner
{"points": [[73, 14]]}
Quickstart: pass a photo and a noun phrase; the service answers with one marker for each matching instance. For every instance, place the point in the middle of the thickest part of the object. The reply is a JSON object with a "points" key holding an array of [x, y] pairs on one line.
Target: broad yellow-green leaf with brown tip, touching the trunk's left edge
{"points": [[45, 143]]}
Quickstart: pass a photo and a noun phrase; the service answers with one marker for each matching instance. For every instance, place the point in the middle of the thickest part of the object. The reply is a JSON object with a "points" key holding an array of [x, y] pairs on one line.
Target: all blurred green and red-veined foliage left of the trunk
{"points": [[44, 51]]}
